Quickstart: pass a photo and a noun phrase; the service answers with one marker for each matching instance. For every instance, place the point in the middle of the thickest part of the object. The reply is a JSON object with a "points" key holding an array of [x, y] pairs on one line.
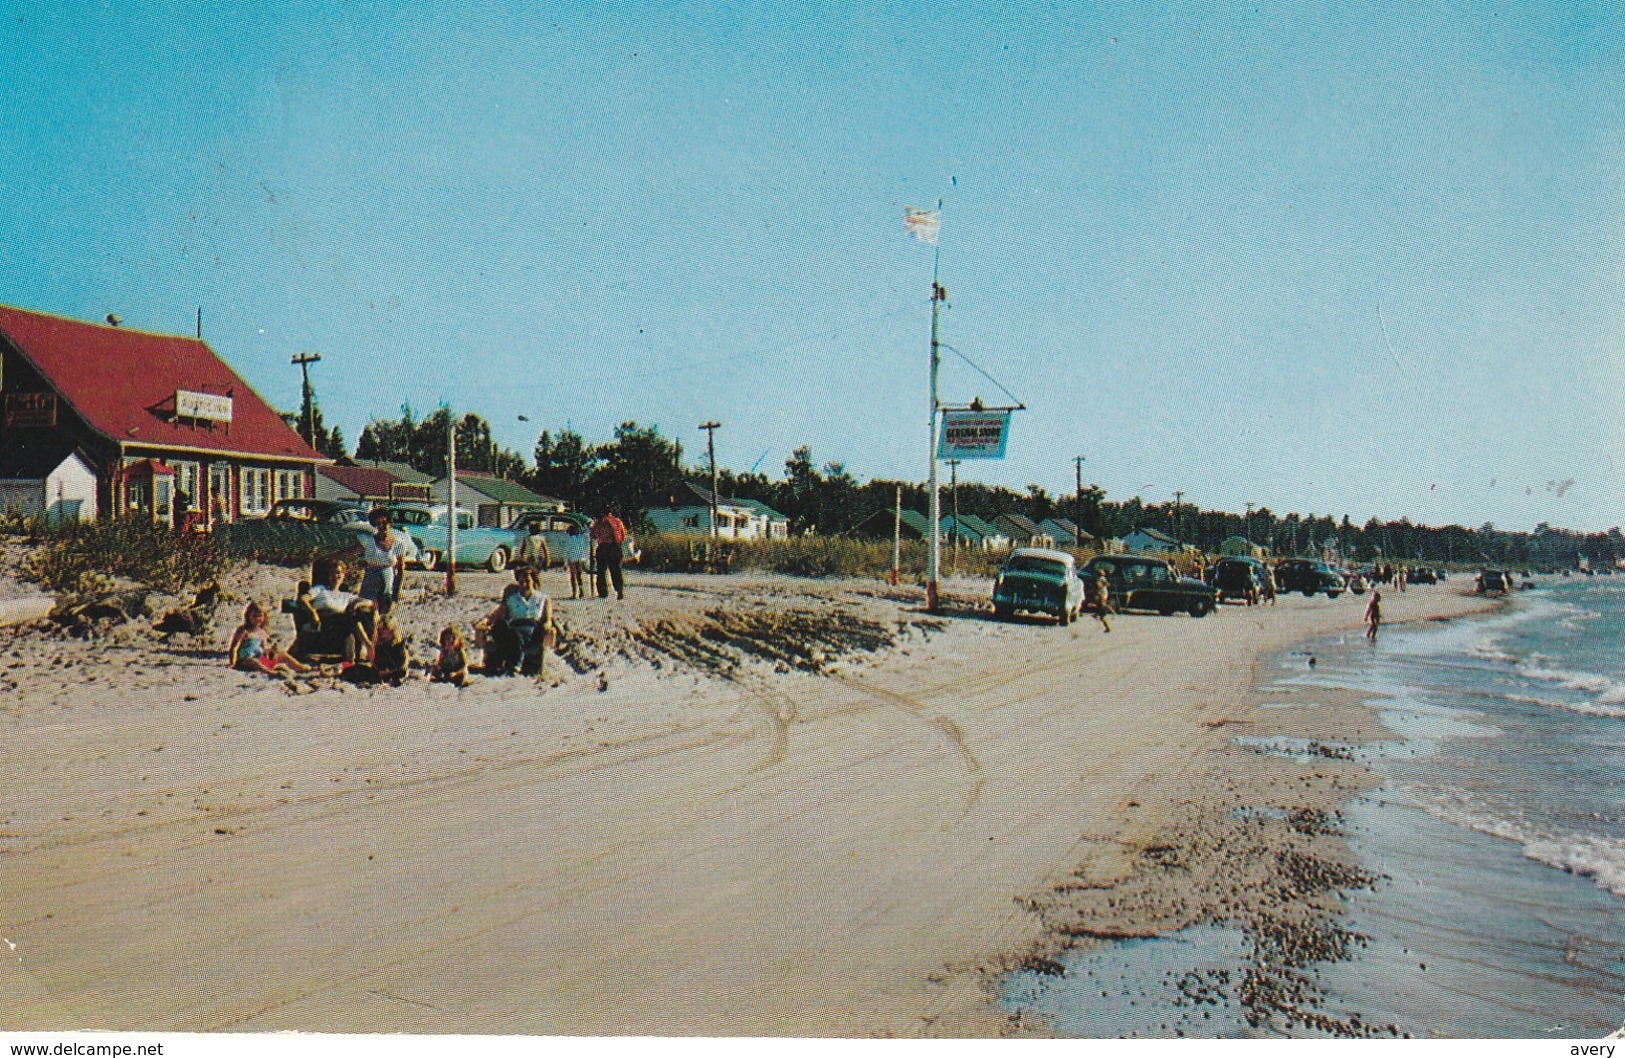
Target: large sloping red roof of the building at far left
{"points": [[123, 383]]}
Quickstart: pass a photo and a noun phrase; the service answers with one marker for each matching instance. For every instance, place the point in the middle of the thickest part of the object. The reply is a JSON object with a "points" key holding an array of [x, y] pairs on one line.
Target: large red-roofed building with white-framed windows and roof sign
{"points": [[123, 397]]}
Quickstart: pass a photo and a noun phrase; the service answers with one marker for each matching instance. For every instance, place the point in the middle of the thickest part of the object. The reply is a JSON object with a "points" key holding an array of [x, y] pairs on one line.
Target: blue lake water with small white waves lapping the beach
{"points": [[1499, 828]]}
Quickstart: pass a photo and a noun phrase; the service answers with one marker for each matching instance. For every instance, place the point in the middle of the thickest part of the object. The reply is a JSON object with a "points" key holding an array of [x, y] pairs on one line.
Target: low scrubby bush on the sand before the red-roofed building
{"points": [[87, 557]]}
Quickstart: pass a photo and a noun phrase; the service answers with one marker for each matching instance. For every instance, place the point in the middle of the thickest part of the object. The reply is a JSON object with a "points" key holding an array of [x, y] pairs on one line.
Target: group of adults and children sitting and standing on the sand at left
{"points": [[370, 646]]}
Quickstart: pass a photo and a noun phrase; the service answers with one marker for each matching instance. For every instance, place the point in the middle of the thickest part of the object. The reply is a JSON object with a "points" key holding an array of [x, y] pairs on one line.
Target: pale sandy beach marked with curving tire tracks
{"points": [[739, 807]]}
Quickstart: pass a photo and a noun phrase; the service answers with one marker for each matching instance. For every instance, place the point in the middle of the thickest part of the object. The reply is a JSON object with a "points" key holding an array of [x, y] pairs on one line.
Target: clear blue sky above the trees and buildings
{"points": [[1322, 258]]}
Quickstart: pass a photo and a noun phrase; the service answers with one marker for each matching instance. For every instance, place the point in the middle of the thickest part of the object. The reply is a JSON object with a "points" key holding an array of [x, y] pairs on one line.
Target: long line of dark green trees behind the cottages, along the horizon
{"points": [[826, 500]]}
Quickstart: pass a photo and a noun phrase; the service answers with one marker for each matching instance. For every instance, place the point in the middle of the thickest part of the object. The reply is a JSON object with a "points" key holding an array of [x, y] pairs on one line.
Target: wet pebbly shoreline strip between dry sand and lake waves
{"points": [[1246, 896]]}
